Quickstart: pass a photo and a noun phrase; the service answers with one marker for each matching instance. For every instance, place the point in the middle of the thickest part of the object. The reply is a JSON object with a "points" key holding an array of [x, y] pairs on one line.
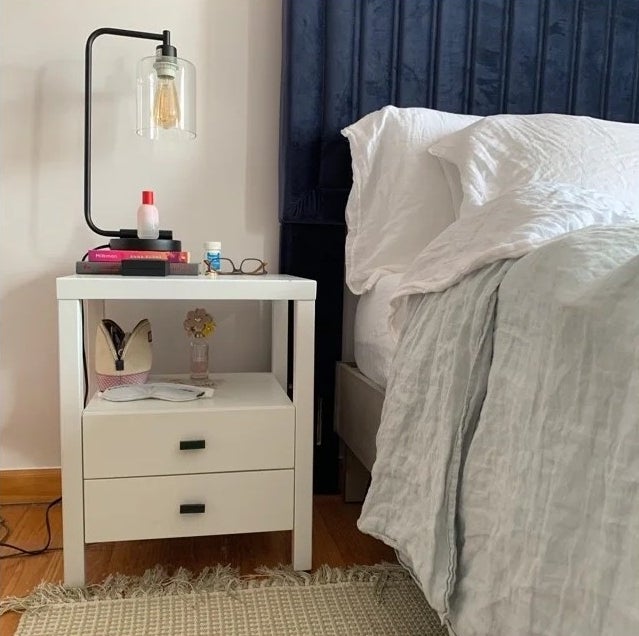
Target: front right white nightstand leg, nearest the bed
{"points": [[303, 387]]}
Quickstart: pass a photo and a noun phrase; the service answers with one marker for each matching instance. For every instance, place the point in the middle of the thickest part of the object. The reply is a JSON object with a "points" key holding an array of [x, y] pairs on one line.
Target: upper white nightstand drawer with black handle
{"points": [[185, 443]]}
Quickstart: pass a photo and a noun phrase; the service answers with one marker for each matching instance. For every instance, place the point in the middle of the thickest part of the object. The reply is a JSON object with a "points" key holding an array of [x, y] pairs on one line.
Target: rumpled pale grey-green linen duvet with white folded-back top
{"points": [[507, 471]]}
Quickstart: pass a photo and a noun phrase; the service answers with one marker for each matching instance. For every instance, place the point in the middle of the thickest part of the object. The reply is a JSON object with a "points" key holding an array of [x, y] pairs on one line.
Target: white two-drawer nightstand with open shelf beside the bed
{"points": [[239, 462]]}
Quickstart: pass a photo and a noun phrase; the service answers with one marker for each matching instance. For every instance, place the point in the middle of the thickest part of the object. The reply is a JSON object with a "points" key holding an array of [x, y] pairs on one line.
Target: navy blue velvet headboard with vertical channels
{"points": [[345, 58]]}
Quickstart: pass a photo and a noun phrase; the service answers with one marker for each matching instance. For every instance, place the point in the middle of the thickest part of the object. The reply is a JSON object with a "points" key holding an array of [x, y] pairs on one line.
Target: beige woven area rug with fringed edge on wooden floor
{"points": [[375, 600]]}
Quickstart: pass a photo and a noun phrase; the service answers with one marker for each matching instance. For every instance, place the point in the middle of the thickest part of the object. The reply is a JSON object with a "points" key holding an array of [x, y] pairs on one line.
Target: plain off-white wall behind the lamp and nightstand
{"points": [[222, 186]]}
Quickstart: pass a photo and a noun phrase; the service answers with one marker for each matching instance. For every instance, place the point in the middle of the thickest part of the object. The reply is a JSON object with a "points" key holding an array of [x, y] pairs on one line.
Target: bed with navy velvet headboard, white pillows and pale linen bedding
{"points": [[505, 470]]}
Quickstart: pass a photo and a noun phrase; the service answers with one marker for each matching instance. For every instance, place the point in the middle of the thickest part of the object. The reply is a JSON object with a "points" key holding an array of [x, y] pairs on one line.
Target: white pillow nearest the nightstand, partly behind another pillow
{"points": [[400, 199]]}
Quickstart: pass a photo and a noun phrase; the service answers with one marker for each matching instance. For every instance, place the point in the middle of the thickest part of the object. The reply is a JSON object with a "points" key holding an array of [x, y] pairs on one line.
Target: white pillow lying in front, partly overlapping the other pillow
{"points": [[504, 152]]}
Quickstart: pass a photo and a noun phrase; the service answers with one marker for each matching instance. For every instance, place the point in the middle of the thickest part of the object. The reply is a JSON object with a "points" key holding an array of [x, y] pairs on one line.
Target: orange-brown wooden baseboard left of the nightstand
{"points": [[34, 485]]}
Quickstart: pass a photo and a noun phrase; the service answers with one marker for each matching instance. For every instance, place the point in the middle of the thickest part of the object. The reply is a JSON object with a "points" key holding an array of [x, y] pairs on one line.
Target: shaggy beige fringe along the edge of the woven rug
{"points": [[219, 578]]}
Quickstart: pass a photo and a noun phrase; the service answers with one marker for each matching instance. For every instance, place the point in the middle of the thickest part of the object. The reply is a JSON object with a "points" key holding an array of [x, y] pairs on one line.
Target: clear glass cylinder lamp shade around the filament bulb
{"points": [[166, 98]]}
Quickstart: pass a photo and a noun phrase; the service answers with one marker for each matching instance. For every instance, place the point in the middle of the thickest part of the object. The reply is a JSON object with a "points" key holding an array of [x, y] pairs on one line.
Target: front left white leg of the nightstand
{"points": [[71, 406]]}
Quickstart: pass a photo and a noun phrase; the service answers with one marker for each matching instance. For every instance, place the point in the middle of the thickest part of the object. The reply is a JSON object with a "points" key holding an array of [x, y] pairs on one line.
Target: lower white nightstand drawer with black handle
{"points": [[187, 505]]}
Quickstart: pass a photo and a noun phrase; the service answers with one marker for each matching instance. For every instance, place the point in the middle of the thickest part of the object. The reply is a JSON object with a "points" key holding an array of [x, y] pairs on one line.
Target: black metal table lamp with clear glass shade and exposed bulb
{"points": [[165, 107]]}
